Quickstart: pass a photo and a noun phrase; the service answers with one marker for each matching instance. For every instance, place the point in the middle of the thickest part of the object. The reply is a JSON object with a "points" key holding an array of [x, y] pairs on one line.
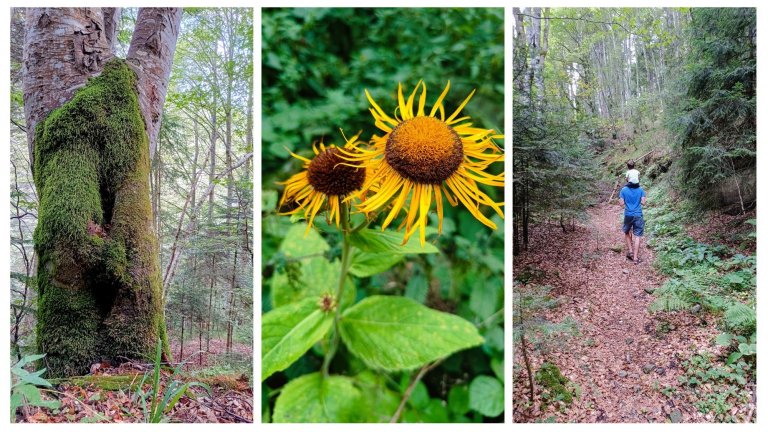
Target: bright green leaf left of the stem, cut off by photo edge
{"points": [[290, 331]]}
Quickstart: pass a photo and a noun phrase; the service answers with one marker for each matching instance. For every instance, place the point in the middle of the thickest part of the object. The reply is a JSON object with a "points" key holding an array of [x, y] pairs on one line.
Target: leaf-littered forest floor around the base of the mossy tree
{"points": [[109, 394]]}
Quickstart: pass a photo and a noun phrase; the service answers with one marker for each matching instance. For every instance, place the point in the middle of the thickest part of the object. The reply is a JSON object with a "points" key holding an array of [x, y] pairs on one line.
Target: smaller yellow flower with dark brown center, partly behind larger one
{"points": [[326, 177]]}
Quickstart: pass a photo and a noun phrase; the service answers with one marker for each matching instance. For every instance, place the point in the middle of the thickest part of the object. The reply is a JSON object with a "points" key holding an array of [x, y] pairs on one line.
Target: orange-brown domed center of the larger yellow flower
{"points": [[424, 149]]}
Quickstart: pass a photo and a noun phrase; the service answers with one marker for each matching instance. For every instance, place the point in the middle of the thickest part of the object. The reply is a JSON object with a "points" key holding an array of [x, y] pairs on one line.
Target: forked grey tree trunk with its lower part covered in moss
{"points": [[100, 291]]}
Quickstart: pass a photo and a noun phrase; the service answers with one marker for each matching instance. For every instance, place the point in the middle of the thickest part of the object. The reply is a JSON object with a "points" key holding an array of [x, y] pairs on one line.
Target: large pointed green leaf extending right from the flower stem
{"points": [[396, 333]]}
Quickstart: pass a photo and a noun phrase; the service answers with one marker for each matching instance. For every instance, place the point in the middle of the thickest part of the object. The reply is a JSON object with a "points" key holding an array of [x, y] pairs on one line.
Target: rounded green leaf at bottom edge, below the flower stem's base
{"points": [[314, 399]]}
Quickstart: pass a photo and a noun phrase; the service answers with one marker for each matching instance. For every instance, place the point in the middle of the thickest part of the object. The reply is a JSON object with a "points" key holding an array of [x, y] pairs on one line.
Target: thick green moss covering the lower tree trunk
{"points": [[98, 273]]}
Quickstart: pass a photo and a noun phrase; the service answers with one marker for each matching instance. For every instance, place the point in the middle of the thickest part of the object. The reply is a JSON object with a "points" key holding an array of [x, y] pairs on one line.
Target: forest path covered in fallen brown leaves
{"points": [[623, 356]]}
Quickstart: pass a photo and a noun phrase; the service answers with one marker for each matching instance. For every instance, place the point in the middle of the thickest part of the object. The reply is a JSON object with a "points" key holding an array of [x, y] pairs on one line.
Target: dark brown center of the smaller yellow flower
{"points": [[330, 174]]}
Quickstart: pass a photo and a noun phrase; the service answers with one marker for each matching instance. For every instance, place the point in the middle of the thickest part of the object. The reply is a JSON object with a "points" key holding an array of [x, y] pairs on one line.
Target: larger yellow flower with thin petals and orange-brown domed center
{"points": [[421, 155]]}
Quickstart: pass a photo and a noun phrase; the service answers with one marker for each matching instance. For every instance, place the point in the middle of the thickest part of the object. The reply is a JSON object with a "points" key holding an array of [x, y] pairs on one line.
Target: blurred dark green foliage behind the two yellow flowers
{"points": [[316, 64]]}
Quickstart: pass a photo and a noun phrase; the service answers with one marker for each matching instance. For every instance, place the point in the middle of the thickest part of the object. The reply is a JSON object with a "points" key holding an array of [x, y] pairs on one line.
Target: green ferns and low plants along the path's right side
{"points": [[711, 278]]}
